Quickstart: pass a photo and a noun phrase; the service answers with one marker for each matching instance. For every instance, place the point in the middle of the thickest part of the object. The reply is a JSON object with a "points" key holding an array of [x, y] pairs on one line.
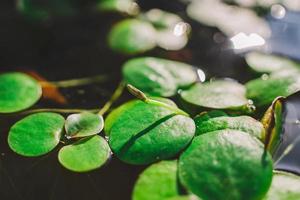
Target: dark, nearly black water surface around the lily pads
{"points": [[73, 47]]}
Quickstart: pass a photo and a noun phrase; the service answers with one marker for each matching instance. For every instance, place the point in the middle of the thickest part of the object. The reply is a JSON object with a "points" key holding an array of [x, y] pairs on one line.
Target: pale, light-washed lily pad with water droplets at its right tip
{"points": [[219, 94]]}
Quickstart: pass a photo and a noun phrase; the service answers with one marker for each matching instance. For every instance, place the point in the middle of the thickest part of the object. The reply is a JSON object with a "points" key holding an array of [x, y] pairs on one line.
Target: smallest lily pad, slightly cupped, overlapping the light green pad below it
{"points": [[83, 124]]}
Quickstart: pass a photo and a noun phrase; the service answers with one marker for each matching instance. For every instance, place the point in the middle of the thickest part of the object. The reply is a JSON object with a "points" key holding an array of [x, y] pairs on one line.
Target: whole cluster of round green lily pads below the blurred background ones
{"points": [[219, 153]]}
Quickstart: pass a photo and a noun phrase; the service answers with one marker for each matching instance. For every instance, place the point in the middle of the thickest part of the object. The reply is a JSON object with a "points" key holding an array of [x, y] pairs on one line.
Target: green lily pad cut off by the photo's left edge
{"points": [[18, 91]]}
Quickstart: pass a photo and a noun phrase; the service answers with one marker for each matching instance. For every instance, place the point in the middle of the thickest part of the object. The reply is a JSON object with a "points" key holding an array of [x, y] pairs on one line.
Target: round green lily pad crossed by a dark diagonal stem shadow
{"points": [[146, 133]]}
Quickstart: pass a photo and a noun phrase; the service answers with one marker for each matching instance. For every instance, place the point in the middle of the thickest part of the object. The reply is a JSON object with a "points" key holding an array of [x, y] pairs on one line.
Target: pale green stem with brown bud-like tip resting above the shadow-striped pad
{"points": [[142, 96]]}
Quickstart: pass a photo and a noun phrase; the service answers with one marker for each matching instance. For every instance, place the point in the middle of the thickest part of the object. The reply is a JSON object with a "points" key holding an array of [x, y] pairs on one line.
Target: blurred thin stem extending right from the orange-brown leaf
{"points": [[76, 82]]}
